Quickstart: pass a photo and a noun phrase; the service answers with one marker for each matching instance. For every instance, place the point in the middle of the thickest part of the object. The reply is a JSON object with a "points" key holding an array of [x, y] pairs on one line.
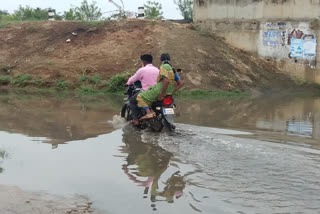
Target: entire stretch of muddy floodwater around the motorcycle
{"points": [[245, 155]]}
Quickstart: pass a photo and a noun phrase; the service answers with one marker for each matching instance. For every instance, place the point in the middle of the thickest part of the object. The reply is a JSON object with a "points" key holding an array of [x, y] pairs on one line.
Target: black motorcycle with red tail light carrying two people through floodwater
{"points": [[164, 111]]}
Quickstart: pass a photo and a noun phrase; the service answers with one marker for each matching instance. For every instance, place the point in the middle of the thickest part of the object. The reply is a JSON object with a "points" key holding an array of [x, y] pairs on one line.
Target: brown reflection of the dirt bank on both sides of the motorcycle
{"points": [[61, 118]]}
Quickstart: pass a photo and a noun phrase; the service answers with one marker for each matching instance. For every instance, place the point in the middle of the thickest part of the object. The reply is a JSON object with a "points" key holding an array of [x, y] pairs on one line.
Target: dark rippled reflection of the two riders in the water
{"points": [[145, 165]]}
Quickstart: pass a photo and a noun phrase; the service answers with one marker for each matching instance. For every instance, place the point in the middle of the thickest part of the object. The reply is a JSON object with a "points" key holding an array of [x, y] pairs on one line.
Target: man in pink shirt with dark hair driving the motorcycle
{"points": [[147, 75]]}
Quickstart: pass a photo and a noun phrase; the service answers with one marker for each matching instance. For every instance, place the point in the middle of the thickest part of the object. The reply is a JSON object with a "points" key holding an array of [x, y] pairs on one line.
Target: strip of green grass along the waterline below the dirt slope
{"points": [[95, 85]]}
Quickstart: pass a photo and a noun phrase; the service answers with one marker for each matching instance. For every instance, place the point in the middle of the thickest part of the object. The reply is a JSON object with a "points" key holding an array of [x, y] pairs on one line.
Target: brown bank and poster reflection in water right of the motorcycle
{"points": [[294, 116]]}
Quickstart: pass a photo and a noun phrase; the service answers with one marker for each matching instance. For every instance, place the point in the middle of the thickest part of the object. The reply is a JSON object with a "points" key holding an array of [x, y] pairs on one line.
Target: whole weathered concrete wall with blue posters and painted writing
{"points": [[284, 30]]}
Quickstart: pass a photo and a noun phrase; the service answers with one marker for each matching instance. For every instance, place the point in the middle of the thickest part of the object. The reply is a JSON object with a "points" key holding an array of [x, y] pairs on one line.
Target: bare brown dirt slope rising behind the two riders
{"points": [[40, 49]]}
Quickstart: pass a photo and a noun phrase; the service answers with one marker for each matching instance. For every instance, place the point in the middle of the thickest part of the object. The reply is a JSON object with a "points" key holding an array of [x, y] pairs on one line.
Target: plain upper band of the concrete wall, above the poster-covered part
{"points": [[256, 9]]}
